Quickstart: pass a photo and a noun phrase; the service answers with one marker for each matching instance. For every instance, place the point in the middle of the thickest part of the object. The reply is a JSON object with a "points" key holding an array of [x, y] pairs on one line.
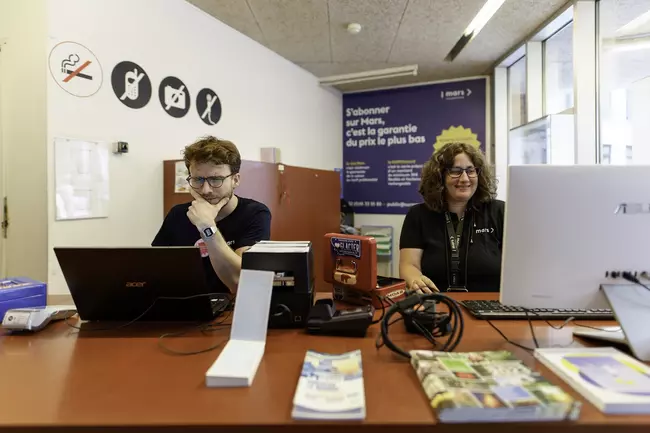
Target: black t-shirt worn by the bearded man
{"points": [[248, 224]]}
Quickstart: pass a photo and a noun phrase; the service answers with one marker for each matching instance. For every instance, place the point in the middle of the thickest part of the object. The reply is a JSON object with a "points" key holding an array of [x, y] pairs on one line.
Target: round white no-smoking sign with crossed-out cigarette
{"points": [[75, 69]]}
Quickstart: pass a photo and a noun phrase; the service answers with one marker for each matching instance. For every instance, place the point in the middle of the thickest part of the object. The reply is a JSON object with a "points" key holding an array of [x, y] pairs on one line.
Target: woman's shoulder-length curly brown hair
{"points": [[432, 183]]}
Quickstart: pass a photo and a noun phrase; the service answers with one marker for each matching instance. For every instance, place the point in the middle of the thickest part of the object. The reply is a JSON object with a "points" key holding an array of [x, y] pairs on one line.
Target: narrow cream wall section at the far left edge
{"points": [[23, 135]]}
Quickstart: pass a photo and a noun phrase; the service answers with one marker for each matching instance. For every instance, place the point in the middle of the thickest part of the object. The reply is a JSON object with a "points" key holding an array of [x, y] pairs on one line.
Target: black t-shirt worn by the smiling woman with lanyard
{"points": [[480, 245]]}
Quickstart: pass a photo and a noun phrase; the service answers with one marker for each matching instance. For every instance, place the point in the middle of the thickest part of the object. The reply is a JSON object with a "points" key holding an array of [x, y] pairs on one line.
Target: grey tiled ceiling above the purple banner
{"points": [[312, 33]]}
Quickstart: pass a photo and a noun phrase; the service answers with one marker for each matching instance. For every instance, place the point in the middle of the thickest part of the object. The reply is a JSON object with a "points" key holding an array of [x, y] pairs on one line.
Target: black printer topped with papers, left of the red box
{"points": [[293, 285]]}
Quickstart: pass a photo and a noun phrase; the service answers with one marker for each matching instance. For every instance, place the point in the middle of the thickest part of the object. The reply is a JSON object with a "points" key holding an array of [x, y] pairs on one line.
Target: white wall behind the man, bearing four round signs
{"points": [[267, 101]]}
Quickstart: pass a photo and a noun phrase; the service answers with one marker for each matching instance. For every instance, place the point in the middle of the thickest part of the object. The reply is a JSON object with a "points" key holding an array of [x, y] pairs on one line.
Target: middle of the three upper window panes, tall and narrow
{"points": [[558, 71]]}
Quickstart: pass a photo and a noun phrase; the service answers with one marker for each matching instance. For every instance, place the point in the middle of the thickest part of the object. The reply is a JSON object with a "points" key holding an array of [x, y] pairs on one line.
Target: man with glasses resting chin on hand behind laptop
{"points": [[219, 222]]}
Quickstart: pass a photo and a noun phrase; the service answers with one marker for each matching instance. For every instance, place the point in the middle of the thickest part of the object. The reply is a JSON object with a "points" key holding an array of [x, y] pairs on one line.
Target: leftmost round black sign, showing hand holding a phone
{"points": [[131, 84]]}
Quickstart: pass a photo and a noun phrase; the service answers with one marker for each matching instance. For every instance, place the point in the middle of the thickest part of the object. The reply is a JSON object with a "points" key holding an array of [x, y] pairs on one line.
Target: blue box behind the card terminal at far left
{"points": [[21, 292]]}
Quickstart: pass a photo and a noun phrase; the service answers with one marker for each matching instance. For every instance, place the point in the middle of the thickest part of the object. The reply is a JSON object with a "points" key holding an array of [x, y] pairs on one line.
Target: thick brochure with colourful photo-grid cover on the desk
{"points": [[492, 386]]}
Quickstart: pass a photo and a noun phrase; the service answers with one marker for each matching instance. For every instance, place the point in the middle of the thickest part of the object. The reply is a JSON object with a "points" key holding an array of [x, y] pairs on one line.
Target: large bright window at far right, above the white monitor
{"points": [[624, 88]]}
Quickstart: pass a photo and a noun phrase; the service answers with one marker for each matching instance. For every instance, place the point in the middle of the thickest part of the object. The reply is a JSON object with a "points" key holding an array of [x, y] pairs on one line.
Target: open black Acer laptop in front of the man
{"points": [[124, 284]]}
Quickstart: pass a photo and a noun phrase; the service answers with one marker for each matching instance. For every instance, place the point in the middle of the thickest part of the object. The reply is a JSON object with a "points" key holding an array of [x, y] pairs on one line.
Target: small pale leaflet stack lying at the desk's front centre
{"points": [[330, 387]]}
